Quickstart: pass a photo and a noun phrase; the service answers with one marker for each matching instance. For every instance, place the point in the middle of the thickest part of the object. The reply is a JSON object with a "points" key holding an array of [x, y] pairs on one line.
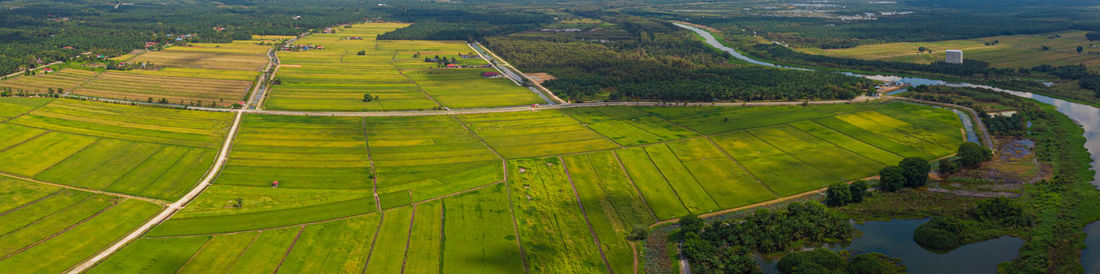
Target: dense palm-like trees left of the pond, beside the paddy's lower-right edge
{"points": [[724, 247]]}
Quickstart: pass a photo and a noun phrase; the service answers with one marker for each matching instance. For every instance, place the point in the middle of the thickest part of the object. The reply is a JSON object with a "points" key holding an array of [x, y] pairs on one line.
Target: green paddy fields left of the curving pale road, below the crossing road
{"points": [[78, 177]]}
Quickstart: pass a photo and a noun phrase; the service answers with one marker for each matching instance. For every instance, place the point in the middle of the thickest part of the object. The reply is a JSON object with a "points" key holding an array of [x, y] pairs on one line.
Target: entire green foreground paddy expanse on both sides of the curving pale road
{"points": [[541, 191]]}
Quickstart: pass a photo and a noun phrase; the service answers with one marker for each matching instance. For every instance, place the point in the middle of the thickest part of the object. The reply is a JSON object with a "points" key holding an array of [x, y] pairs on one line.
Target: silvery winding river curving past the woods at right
{"points": [[1087, 116]]}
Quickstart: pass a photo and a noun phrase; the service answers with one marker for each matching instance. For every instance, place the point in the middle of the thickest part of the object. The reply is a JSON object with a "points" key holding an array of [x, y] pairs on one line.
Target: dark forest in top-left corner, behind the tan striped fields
{"points": [[43, 30]]}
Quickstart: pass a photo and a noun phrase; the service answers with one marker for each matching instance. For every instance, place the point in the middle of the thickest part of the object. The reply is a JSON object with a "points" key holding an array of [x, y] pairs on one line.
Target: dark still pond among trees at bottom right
{"points": [[896, 239]]}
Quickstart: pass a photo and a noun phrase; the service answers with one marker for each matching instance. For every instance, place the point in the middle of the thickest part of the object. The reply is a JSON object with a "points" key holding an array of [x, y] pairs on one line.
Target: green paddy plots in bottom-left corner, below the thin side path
{"points": [[50, 229]]}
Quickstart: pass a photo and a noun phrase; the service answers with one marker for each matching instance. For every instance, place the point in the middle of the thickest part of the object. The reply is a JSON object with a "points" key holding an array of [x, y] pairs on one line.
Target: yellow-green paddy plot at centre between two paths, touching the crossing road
{"points": [[430, 157]]}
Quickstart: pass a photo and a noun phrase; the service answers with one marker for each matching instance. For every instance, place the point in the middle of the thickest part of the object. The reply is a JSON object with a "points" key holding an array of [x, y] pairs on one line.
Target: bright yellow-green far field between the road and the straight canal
{"points": [[336, 78]]}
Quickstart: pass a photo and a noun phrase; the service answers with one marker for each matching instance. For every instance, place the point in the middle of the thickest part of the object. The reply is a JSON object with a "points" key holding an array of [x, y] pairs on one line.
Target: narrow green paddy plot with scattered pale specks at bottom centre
{"points": [[552, 226]]}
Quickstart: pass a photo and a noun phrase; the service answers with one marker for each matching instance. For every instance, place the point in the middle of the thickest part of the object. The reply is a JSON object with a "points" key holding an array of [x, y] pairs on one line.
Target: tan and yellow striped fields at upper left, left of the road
{"points": [[202, 74]]}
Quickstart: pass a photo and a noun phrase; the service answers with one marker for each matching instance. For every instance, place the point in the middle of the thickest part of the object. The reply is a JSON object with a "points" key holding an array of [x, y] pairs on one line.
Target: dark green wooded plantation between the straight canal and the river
{"points": [[663, 62]]}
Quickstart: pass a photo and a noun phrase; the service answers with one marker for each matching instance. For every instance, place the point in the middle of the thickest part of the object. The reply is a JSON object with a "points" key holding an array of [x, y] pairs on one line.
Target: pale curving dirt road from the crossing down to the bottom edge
{"points": [[171, 210]]}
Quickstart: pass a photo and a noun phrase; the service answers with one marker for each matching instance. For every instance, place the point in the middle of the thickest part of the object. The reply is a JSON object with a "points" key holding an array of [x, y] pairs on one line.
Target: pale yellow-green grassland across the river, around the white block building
{"points": [[1013, 51]]}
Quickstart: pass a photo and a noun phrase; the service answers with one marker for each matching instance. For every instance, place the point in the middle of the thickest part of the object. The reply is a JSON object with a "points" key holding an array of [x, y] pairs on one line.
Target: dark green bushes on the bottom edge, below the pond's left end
{"points": [[826, 261]]}
